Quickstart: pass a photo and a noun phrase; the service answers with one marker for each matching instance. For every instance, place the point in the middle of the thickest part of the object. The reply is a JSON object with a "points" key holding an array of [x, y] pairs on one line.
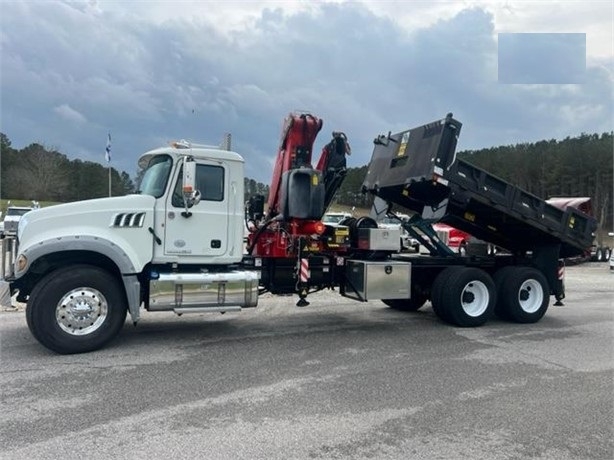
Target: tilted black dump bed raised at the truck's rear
{"points": [[418, 169]]}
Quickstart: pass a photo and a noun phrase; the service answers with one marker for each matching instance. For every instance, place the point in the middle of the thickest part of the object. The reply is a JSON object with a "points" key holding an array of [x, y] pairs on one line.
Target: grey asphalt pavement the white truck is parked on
{"points": [[337, 379]]}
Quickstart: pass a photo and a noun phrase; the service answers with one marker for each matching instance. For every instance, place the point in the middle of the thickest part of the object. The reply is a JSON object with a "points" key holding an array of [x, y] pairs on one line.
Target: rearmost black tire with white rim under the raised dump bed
{"points": [[525, 295]]}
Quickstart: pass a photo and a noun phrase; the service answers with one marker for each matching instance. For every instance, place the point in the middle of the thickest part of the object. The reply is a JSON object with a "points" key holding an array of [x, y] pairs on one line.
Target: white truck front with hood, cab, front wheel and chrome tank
{"points": [[172, 246]]}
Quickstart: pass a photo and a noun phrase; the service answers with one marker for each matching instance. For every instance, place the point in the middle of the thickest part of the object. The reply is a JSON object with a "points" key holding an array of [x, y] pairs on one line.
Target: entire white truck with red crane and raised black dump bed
{"points": [[178, 244]]}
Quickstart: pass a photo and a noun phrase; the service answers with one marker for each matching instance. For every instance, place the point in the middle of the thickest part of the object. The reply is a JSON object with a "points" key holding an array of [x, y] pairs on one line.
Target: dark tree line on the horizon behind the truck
{"points": [[574, 166]]}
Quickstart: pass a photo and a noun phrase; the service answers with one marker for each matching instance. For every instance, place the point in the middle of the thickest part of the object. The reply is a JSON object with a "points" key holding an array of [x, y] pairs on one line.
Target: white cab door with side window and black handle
{"points": [[202, 231]]}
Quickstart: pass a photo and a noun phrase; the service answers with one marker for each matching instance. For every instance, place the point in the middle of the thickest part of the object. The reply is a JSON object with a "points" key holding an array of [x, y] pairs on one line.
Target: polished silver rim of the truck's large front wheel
{"points": [[81, 311]]}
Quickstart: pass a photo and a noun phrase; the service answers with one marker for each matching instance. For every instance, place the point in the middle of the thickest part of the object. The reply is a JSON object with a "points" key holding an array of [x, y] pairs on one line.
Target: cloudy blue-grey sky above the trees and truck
{"points": [[150, 72]]}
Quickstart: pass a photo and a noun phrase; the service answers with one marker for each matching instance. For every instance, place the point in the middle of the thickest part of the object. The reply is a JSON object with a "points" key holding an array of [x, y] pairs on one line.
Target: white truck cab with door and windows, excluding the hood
{"points": [[209, 230]]}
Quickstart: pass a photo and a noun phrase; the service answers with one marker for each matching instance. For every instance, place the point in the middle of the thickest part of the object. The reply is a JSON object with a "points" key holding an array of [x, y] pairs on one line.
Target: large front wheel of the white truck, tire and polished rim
{"points": [[76, 309]]}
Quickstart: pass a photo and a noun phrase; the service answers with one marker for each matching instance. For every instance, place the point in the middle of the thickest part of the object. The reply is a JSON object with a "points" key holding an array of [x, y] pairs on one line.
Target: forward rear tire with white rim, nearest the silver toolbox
{"points": [[468, 297]]}
